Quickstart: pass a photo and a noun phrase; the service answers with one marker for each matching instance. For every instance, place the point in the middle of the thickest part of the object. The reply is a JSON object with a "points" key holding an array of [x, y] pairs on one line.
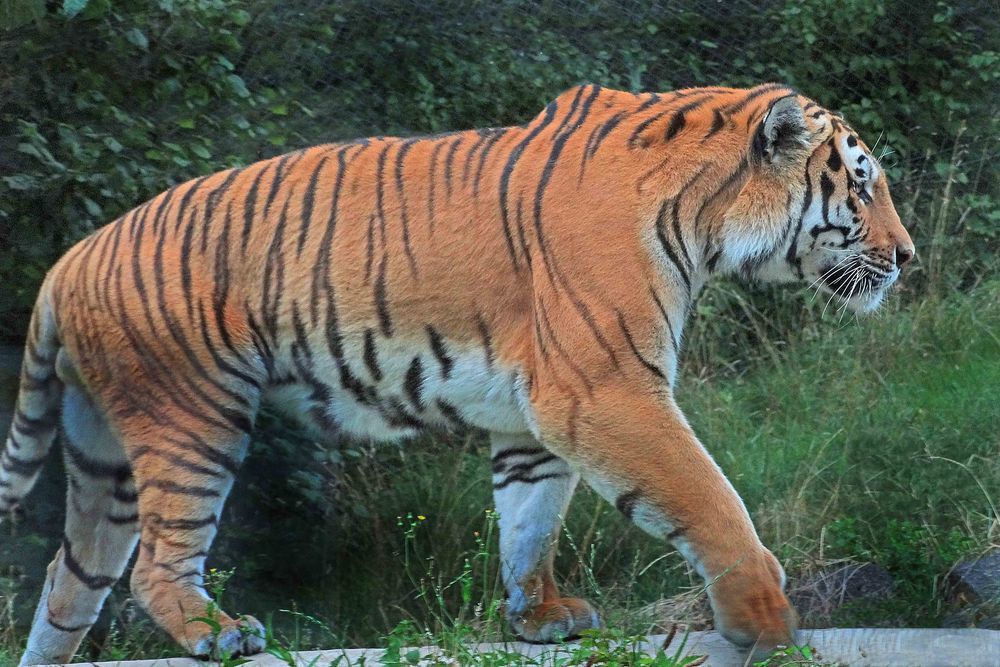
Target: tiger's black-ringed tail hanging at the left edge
{"points": [[36, 413]]}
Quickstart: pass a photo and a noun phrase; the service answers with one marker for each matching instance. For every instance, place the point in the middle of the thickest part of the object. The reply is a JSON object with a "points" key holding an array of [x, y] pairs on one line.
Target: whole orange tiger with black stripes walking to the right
{"points": [[531, 282]]}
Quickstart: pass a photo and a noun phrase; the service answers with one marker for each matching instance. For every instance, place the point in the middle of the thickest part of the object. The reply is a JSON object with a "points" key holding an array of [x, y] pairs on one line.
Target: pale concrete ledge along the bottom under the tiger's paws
{"points": [[862, 647]]}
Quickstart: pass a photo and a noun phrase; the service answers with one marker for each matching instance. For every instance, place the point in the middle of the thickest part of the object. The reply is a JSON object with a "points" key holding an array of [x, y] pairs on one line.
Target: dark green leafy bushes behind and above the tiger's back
{"points": [[107, 102]]}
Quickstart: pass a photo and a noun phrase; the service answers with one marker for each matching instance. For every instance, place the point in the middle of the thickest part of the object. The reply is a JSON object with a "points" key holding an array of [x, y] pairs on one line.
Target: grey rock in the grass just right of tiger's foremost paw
{"points": [[818, 596]]}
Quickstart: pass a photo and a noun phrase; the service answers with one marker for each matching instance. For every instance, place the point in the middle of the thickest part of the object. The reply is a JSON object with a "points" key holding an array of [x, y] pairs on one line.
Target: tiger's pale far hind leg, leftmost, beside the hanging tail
{"points": [[100, 534]]}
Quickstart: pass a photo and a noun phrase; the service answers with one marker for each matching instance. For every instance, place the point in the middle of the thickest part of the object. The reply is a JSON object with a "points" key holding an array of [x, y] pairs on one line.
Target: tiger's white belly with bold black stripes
{"points": [[399, 391]]}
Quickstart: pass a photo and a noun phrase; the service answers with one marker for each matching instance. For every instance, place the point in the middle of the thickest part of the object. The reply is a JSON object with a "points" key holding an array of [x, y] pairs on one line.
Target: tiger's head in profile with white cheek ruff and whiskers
{"points": [[817, 208]]}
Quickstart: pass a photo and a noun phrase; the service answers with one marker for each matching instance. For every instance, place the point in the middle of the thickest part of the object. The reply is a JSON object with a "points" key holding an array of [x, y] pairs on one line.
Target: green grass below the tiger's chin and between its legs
{"points": [[872, 440]]}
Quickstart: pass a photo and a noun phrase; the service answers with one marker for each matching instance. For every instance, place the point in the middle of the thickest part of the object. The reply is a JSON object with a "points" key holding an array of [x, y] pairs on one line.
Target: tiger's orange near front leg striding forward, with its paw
{"points": [[635, 448]]}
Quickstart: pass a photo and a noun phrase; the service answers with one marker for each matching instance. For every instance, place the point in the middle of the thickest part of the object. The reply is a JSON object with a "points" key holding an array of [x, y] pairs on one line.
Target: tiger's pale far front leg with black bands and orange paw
{"points": [[532, 489]]}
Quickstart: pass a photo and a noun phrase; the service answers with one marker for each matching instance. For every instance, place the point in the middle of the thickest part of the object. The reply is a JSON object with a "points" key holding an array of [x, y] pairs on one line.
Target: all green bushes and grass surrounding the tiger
{"points": [[870, 440]]}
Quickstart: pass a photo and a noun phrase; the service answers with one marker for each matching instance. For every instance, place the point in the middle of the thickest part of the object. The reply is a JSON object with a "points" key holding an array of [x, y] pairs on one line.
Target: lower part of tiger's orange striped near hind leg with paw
{"points": [[183, 475]]}
